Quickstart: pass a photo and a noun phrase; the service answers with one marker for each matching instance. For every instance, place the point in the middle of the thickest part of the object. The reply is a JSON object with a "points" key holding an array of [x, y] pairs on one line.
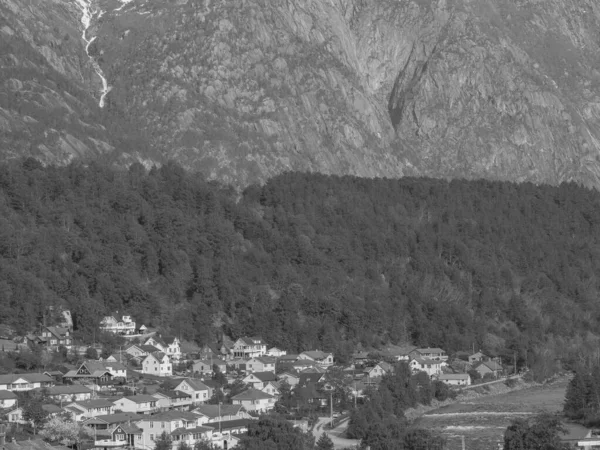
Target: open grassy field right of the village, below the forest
{"points": [[482, 419]]}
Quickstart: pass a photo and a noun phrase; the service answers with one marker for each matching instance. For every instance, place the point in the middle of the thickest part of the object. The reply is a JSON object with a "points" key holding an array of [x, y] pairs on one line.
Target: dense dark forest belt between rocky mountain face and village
{"points": [[306, 261]]}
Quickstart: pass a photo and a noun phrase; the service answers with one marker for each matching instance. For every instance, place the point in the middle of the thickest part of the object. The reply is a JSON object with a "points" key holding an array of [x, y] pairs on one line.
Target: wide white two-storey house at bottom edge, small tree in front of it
{"points": [[180, 425]]}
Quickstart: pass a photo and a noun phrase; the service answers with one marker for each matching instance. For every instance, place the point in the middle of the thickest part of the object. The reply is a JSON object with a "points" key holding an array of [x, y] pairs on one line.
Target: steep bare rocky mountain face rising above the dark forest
{"points": [[244, 89]]}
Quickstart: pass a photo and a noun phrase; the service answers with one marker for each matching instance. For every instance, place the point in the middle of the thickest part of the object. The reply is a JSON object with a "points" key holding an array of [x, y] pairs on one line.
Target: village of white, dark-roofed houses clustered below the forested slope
{"points": [[157, 384]]}
